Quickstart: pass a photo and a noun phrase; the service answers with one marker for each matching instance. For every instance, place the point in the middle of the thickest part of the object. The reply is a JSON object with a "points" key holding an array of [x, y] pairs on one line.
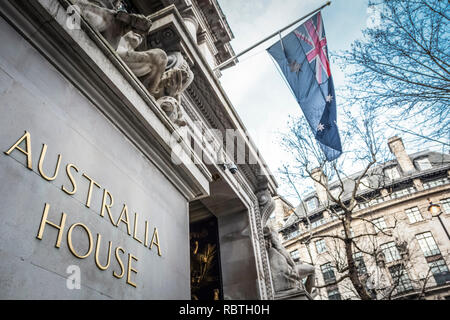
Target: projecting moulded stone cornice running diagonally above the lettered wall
{"points": [[91, 65]]}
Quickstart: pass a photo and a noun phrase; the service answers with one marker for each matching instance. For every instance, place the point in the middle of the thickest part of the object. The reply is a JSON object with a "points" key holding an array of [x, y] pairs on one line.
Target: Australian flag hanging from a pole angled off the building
{"points": [[303, 58]]}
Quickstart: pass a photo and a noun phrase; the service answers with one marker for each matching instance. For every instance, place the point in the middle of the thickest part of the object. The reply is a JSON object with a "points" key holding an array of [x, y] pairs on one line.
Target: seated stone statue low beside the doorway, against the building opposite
{"points": [[286, 274]]}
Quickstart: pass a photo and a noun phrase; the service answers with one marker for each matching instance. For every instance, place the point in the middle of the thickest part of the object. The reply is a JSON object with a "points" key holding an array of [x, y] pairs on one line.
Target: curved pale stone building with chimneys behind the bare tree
{"points": [[413, 258]]}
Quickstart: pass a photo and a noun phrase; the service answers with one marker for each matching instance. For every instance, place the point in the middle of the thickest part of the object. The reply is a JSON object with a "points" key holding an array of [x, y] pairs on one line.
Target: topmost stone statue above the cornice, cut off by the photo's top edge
{"points": [[114, 22]]}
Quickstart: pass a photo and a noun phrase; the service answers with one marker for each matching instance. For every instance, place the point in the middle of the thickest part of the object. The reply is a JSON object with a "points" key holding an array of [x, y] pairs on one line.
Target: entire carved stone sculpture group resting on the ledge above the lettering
{"points": [[165, 76]]}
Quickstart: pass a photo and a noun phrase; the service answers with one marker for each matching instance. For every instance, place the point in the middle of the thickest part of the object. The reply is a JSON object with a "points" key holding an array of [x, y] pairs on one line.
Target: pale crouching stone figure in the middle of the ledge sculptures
{"points": [[148, 65]]}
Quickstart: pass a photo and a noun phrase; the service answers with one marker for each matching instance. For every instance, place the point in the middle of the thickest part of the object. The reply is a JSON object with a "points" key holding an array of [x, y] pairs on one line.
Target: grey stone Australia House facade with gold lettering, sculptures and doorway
{"points": [[116, 133]]}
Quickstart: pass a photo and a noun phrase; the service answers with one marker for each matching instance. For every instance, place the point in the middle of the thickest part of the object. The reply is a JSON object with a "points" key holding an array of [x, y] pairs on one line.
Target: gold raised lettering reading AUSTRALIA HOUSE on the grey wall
{"points": [[23, 145]]}
